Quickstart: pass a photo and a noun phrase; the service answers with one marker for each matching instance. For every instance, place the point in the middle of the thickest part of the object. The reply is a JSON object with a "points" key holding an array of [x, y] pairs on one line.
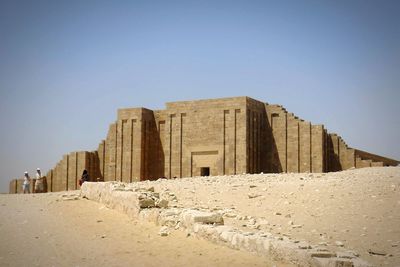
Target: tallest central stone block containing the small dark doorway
{"points": [[206, 134]]}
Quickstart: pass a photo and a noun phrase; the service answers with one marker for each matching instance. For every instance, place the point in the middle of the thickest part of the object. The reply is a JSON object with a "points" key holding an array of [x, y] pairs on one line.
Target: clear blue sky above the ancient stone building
{"points": [[66, 66]]}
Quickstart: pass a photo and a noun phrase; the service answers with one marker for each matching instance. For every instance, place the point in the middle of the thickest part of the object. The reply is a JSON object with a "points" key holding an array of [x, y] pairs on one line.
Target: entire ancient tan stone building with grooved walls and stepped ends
{"points": [[208, 137]]}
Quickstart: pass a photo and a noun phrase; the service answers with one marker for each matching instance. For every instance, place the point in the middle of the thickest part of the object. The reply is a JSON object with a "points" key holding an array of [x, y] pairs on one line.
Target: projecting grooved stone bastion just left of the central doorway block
{"points": [[131, 140]]}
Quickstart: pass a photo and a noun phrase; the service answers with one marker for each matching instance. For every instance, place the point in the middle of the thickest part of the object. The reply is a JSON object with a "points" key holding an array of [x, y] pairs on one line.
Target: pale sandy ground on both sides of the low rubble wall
{"points": [[356, 210]]}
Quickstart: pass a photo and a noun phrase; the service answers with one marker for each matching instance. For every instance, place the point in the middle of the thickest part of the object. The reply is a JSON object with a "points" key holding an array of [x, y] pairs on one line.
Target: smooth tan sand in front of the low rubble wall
{"points": [[45, 230]]}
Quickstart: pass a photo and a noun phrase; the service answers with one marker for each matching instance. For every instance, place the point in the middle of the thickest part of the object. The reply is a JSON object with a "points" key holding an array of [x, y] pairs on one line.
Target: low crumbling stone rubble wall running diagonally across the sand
{"points": [[145, 204]]}
